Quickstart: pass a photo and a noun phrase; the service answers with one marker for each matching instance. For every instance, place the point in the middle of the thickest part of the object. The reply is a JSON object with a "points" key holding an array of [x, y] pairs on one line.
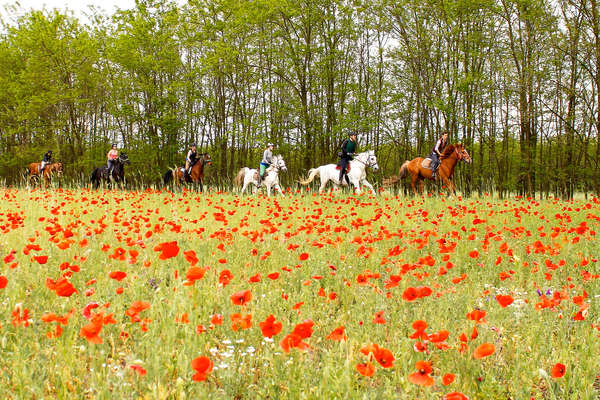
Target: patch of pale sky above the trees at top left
{"points": [[79, 7]]}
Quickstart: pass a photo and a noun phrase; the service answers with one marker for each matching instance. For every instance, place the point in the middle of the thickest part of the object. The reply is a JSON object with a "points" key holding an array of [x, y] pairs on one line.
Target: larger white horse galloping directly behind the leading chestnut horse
{"points": [[357, 172]]}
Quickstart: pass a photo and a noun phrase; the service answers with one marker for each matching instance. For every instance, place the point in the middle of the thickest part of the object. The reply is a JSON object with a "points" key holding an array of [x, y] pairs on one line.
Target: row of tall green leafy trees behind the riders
{"points": [[517, 80]]}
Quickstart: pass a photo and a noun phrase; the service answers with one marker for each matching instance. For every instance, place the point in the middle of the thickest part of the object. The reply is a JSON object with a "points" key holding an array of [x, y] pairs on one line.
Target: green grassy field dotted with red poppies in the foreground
{"points": [[184, 295]]}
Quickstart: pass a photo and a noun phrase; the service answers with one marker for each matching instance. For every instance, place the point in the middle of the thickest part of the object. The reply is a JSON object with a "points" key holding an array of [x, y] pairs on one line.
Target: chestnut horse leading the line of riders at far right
{"points": [[418, 168]]}
